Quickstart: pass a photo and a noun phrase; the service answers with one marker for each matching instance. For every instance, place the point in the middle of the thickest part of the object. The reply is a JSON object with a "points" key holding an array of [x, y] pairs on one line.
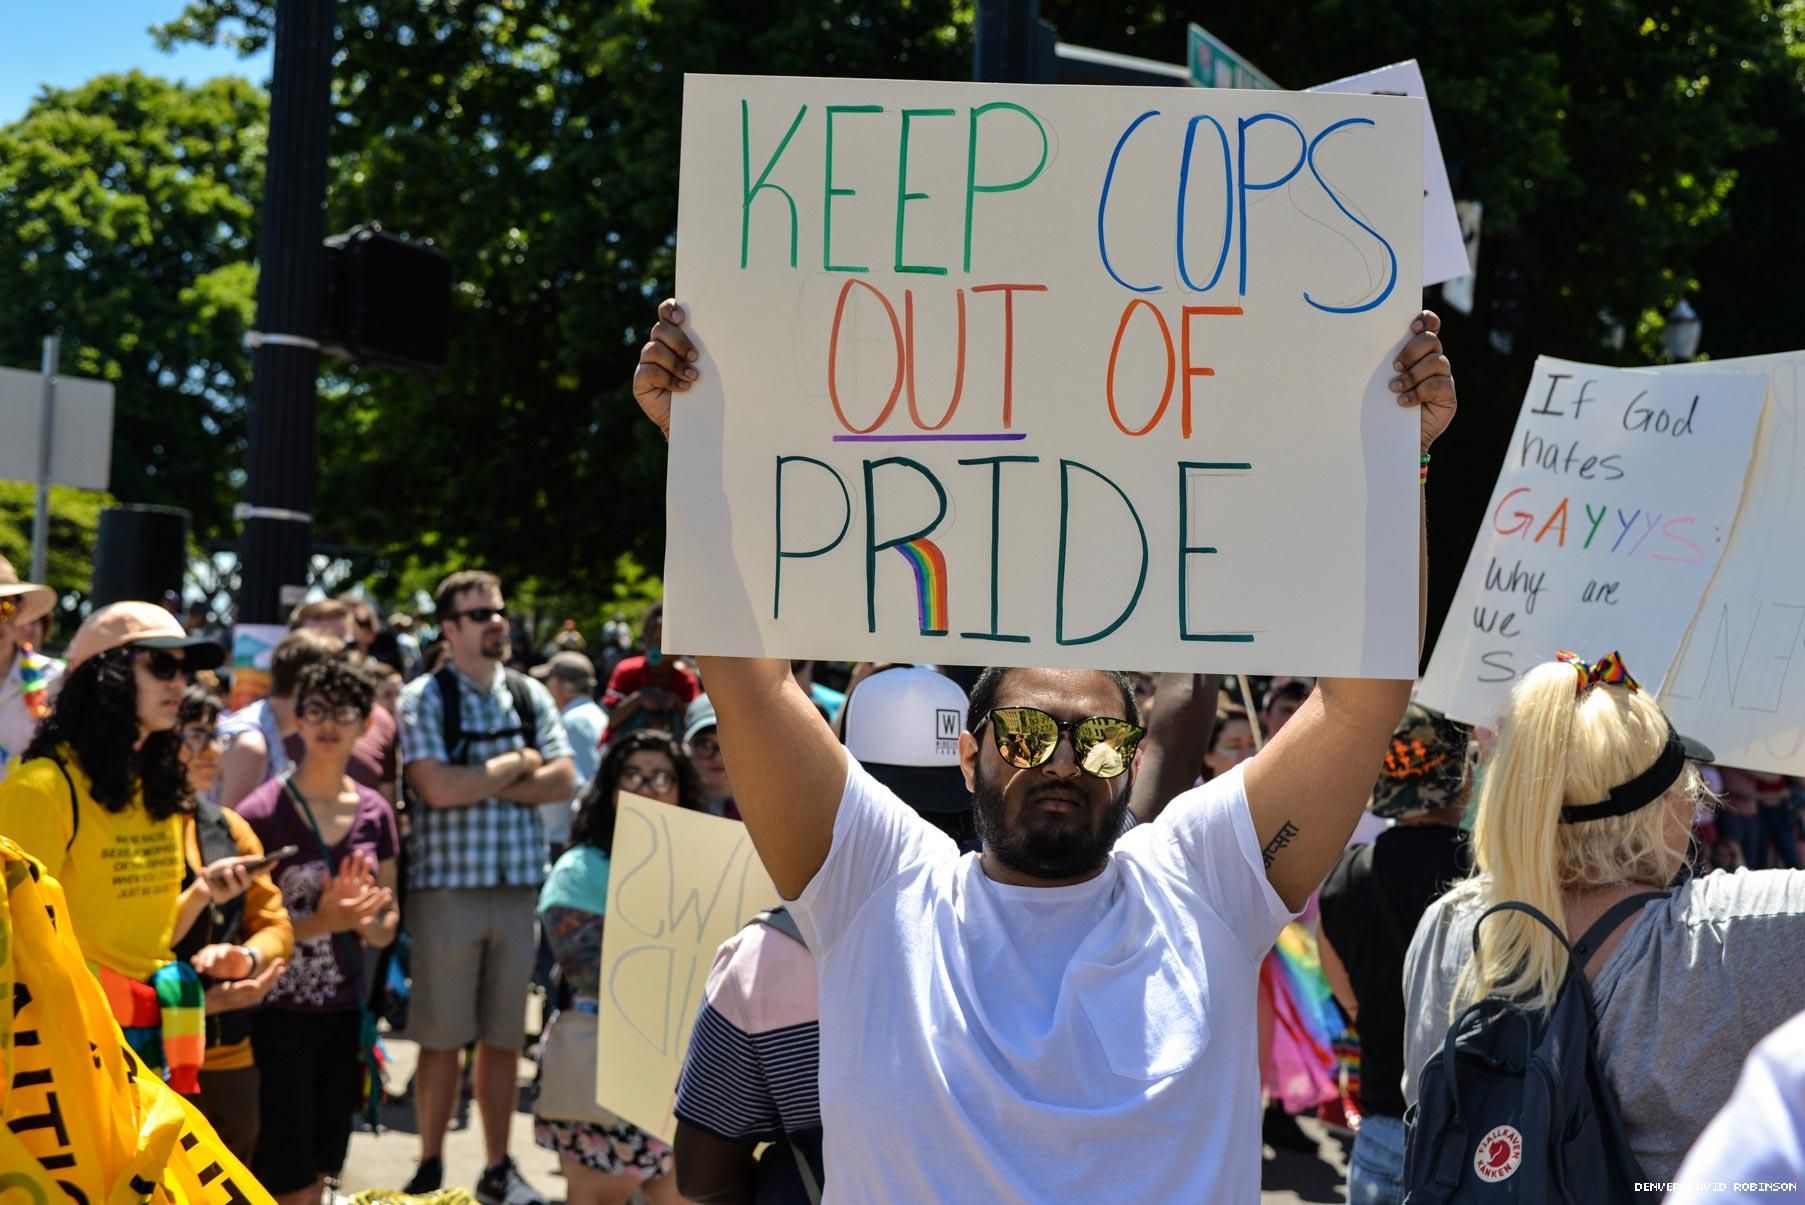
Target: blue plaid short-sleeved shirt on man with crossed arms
{"points": [[492, 843]]}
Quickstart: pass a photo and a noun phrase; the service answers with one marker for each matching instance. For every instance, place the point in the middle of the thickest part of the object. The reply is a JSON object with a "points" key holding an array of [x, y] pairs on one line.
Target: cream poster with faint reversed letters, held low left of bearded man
{"points": [[681, 883]]}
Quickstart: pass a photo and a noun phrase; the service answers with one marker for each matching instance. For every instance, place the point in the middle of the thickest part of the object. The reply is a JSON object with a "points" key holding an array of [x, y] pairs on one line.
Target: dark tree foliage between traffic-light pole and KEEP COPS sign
{"points": [[537, 143]]}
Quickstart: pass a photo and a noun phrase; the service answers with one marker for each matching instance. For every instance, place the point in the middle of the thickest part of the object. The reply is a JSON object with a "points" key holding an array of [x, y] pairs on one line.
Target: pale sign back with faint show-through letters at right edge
{"points": [[1739, 681]]}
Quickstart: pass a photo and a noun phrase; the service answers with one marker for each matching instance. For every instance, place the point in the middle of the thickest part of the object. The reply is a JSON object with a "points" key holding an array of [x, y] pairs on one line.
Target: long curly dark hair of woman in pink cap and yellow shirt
{"points": [[97, 717]]}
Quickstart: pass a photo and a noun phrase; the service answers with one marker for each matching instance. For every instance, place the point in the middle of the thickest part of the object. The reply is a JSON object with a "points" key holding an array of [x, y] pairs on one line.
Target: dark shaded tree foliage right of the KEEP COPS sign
{"points": [[1625, 154]]}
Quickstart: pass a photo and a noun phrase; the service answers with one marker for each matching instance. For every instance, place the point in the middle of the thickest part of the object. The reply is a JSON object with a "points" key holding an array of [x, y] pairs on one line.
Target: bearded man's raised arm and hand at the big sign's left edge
{"points": [[788, 769]]}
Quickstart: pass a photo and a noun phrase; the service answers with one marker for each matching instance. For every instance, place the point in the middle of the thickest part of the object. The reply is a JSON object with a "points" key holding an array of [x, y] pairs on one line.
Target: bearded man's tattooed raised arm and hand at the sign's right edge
{"points": [[1311, 784]]}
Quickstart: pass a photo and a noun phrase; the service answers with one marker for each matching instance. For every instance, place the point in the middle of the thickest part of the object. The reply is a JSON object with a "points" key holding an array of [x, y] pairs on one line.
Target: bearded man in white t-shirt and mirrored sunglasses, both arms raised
{"points": [[1060, 993]]}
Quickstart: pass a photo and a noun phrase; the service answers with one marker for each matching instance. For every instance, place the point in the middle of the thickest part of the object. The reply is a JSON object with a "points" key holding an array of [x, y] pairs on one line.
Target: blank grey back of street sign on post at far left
{"points": [[82, 446]]}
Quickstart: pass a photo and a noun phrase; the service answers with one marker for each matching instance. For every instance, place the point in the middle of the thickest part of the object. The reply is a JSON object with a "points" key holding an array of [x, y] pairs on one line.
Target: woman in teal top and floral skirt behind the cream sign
{"points": [[606, 1159]]}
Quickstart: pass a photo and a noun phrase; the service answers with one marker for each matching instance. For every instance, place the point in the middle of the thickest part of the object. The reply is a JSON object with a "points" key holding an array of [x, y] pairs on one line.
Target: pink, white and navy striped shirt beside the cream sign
{"points": [[755, 1053]]}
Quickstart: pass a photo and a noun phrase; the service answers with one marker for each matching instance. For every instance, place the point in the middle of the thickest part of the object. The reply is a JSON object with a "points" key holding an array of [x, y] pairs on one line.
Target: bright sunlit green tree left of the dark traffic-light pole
{"points": [[129, 221]]}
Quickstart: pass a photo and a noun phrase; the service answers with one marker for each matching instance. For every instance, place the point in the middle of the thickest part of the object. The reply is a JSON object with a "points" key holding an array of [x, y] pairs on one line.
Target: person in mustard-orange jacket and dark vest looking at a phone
{"points": [[239, 948]]}
